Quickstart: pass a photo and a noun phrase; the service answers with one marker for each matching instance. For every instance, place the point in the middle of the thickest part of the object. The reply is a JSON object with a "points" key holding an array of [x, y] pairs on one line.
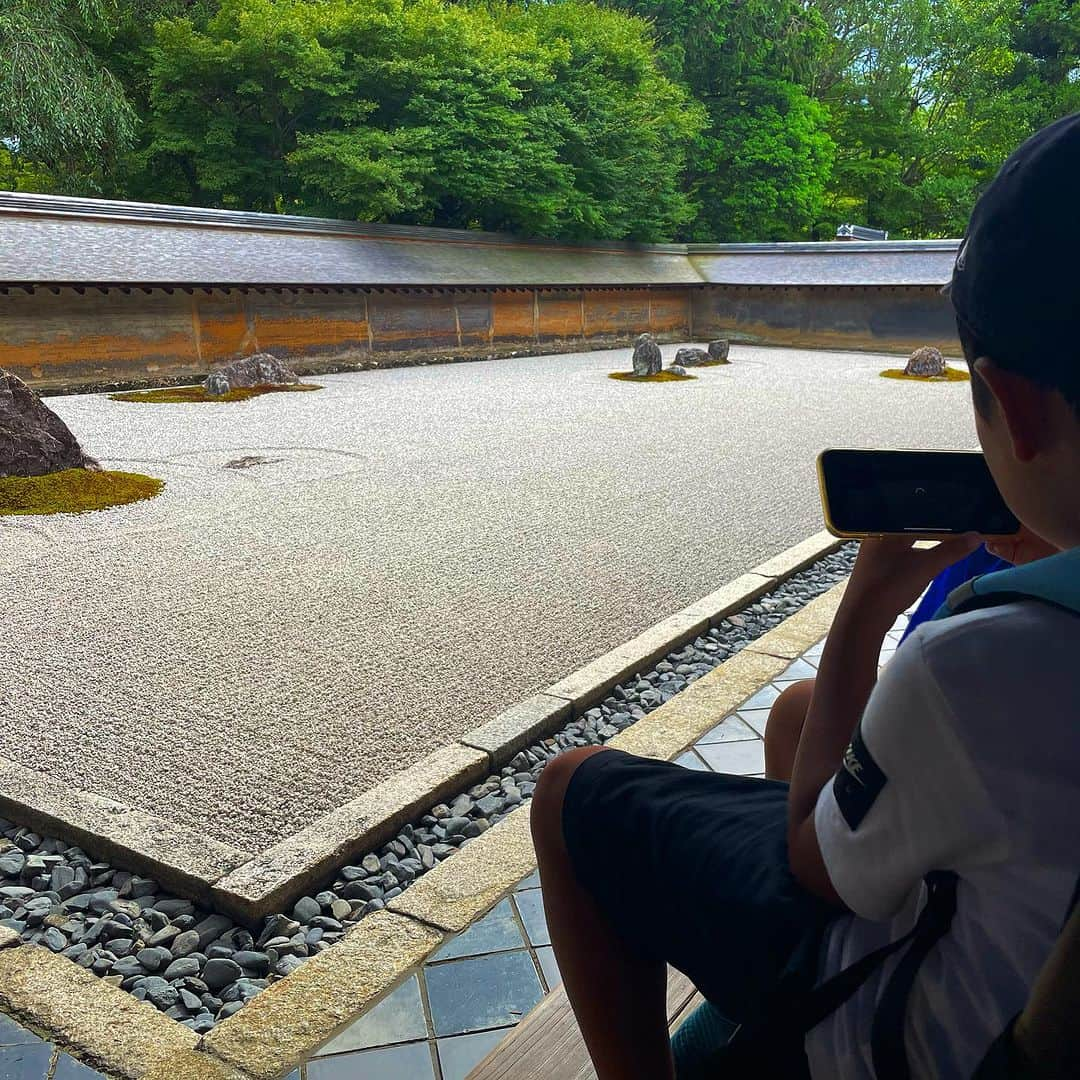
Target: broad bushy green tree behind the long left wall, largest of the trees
{"points": [[550, 120]]}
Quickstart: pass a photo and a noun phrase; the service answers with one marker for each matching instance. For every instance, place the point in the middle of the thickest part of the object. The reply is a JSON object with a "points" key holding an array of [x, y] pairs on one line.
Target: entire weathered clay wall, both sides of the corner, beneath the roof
{"points": [[65, 337]]}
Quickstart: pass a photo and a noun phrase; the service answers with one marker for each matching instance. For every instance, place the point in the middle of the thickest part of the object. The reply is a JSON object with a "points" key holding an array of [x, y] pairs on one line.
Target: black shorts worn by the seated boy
{"points": [[692, 868]]}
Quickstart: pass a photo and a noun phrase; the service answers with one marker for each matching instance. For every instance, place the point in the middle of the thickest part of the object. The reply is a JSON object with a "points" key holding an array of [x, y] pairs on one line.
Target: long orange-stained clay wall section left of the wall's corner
{"points": [[64, 337]]}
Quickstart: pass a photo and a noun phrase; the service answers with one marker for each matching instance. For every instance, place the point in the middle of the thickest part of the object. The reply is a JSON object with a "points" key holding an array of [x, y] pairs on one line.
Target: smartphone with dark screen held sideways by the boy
{"points": [[924, 494]]}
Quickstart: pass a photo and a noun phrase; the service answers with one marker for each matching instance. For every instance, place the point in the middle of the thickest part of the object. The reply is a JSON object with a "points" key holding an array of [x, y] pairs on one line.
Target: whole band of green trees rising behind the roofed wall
{"points": [[579, 119]]}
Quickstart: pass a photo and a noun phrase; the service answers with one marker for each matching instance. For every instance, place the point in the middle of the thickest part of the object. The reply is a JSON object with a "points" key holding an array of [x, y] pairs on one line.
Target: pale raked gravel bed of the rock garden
{"points": [[421, 550]]}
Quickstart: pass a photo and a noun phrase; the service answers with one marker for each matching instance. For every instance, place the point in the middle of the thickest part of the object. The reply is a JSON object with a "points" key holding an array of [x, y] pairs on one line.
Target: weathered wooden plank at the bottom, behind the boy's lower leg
{"points": [[548, 1046]]}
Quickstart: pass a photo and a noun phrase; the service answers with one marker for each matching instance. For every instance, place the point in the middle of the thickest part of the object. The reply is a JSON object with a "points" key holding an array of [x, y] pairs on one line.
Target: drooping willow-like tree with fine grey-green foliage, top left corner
{"points": [[63, 114]]}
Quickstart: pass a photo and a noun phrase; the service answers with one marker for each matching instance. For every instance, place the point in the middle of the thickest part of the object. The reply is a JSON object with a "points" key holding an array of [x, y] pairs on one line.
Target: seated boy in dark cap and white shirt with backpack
{"points": [[921, 865]]}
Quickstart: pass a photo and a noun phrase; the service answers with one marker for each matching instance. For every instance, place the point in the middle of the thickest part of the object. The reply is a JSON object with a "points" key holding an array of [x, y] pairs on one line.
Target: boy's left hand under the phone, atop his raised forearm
{"points": [[892, 574]]}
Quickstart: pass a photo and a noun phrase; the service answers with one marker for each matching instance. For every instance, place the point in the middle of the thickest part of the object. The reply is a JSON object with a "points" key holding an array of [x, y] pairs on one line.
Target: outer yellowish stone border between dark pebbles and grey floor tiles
{"points": [[294, 1018]]}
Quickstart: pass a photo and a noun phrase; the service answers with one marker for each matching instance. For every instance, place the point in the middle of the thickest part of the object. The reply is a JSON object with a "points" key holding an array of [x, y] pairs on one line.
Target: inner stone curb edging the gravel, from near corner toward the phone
{"points": [[277, 877]]}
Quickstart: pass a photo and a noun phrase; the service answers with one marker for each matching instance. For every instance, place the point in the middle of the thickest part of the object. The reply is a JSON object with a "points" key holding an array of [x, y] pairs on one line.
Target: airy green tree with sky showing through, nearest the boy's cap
{"points": [[929, 97]]}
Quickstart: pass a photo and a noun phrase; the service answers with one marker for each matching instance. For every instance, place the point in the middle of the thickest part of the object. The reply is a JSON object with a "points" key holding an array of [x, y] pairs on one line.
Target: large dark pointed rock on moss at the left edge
{"points": [[34, 440]]}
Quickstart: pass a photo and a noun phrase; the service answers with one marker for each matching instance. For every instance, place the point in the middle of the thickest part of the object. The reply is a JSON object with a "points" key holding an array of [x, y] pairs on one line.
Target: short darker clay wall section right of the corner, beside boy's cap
{"points": [[884, 319]]}
